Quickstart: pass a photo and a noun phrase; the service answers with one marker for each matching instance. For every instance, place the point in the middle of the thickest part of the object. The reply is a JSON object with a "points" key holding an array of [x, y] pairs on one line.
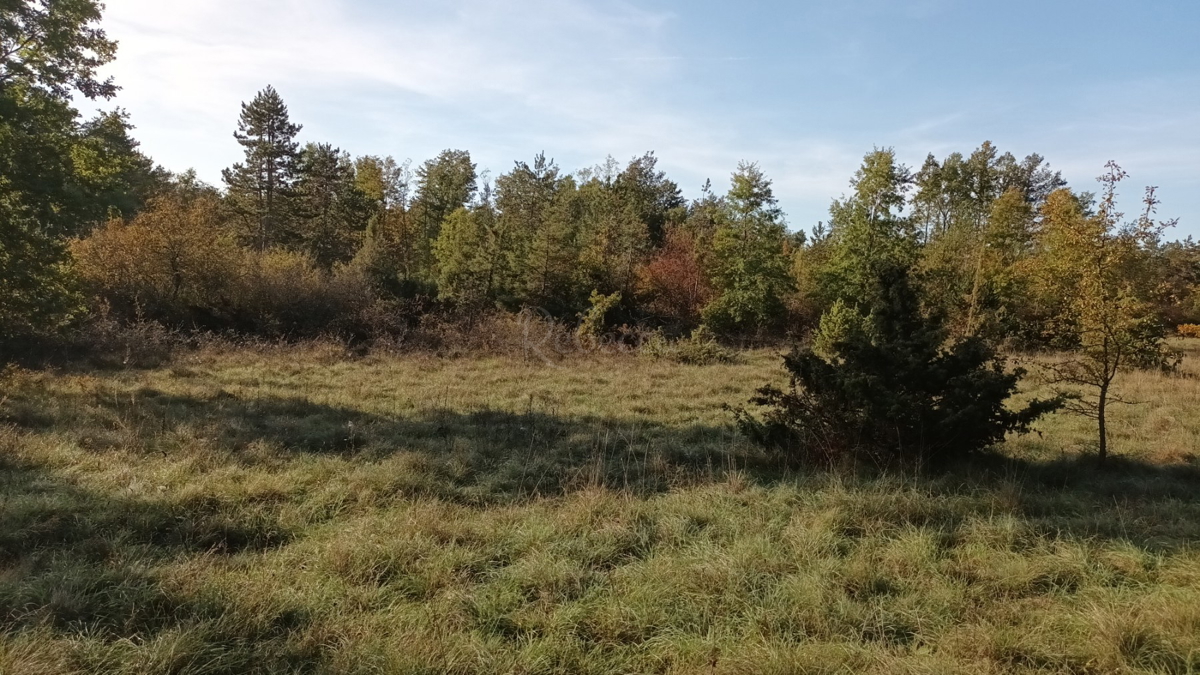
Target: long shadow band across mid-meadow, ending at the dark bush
{"points": [[475, 457]]}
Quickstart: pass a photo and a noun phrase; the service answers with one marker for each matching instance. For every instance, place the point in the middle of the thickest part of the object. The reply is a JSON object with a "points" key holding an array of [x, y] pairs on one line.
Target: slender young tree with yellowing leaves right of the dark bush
{"points": [[1095, 265]]}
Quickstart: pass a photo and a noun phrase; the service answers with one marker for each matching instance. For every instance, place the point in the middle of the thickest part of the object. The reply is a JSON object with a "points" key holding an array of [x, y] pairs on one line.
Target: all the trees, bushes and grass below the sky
{"points": [[341, 415]]}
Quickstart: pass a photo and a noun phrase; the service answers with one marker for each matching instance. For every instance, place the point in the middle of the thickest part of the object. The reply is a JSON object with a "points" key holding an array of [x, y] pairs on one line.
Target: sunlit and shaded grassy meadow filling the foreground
{"points": [[297, 511]]}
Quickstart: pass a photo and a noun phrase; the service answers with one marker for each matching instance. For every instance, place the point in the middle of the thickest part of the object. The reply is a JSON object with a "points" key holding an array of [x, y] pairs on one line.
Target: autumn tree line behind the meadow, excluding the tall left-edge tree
{"points": [[982, 232]]}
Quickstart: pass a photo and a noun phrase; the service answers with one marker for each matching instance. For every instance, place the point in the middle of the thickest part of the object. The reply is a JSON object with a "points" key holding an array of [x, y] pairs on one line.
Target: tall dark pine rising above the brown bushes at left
{"points": [[261, 189]]}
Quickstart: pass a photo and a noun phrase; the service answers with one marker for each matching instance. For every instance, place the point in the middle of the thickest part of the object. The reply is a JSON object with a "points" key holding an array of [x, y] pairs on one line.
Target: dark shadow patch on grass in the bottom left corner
{"points": [[87, 568]]}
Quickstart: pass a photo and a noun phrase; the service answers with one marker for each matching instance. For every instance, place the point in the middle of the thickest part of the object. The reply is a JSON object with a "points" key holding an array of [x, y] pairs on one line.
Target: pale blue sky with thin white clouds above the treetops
{"points": [[802, 88]]}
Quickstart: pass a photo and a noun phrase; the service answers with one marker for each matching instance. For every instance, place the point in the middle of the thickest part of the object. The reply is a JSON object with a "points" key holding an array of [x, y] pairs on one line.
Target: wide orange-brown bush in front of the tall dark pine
{"points": [[179, 266]]}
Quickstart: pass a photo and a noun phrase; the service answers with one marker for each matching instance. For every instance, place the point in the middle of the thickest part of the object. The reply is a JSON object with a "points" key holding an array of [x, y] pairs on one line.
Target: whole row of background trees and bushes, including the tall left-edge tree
{"points": [[92, 224]]}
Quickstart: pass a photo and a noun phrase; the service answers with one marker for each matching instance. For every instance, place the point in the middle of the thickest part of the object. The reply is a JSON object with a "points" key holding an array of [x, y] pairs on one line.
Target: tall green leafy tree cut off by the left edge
{"points": [[50, 51]]}
